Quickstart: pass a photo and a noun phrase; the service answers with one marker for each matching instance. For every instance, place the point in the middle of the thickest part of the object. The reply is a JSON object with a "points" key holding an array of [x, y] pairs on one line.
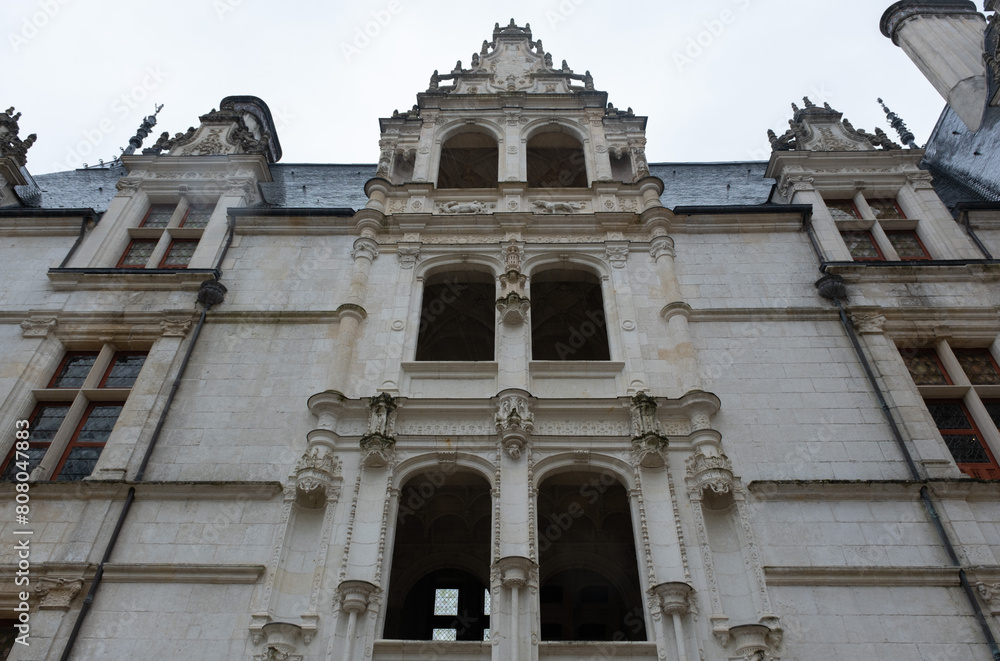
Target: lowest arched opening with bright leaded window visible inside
{"points": [[441, 561]]}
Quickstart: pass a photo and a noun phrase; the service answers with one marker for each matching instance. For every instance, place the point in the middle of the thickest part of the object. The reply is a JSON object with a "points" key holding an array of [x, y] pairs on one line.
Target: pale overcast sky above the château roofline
{"points": [[712, 76]]}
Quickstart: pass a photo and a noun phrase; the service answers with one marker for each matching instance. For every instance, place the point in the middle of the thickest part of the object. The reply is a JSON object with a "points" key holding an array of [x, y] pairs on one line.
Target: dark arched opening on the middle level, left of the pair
{"points": [[457, 317]]}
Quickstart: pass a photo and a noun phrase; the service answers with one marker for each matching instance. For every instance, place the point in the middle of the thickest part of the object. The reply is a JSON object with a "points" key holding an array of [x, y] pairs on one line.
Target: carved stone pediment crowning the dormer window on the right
{"points": [[813, 128]]}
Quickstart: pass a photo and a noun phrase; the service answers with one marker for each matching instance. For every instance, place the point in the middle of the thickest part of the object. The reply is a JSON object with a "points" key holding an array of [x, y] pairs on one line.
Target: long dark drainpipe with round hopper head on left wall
{"points": [[212, 293]]}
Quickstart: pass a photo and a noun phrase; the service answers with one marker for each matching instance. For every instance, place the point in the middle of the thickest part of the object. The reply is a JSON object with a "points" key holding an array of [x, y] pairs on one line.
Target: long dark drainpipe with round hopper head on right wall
{"points": [[832, 287]]}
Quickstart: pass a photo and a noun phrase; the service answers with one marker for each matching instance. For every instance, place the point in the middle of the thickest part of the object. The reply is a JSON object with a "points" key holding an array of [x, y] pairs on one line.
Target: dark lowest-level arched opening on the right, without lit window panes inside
{"points": [[587, 558]]}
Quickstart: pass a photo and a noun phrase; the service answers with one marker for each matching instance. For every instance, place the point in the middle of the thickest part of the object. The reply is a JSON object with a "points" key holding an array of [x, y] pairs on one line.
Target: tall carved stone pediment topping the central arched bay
{"points": [[512, 62]]}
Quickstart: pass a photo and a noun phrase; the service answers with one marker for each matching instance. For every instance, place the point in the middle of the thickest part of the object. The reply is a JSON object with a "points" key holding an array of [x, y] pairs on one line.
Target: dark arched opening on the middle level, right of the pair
{"points": [[567, 317]]}
